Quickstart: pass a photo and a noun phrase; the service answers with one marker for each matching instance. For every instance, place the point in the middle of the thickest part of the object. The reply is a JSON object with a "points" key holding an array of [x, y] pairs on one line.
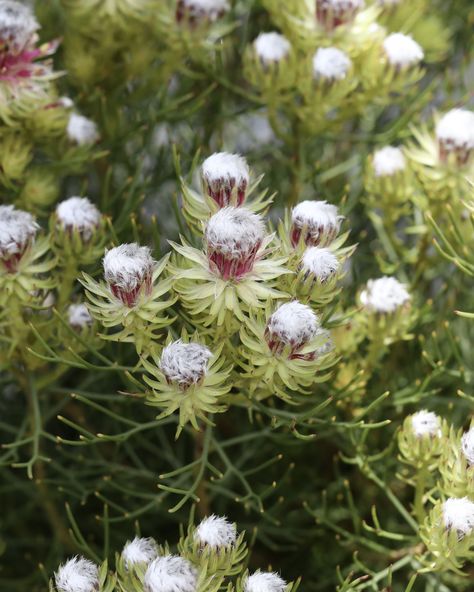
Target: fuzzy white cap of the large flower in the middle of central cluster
{"points": [[234, 231]]}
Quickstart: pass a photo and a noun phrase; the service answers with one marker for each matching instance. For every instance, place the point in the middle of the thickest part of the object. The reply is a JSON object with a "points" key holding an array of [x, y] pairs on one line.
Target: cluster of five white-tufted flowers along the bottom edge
{"points": [[210, 557]]}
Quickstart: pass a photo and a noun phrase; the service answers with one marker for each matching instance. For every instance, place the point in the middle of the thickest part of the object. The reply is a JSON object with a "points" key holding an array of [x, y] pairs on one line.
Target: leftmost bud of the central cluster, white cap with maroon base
{"points": [[128, 270]]}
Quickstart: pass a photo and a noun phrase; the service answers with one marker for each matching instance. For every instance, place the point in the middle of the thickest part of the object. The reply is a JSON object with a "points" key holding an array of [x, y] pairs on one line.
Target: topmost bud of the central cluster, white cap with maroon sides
{"points": [[225, 177]]}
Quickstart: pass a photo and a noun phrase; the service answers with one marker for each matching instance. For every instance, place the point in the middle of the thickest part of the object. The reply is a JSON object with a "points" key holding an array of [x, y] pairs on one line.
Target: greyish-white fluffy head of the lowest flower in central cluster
{"points": [[185, 363]]}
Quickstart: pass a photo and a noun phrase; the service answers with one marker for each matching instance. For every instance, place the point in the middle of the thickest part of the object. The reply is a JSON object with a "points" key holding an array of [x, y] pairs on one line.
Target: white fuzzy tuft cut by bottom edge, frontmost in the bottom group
{"points": [[170, 573]]}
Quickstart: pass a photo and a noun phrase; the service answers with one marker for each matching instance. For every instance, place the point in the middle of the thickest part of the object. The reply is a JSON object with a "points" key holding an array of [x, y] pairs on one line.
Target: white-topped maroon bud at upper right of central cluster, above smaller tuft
{"points": [[316, 223]]}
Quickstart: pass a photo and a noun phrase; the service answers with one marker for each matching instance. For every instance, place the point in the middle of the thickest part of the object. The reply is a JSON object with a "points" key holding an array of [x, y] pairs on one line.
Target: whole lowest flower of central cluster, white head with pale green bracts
{"points": [[190, 378]]}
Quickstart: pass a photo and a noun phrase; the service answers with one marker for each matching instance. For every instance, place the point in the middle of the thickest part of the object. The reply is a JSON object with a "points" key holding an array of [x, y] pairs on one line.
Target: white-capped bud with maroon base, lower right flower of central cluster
{"points": [[291, 327]]}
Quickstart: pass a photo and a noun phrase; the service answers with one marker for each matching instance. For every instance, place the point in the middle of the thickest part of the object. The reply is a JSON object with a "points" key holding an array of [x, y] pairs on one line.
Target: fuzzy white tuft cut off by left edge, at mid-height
{"points": [[17, 230]]}
